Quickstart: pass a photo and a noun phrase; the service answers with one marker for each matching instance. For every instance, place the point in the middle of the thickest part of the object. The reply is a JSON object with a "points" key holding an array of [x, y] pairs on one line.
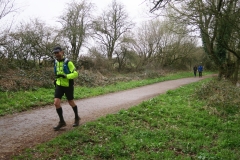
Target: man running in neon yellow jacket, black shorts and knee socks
{"points": [[65, 72]]}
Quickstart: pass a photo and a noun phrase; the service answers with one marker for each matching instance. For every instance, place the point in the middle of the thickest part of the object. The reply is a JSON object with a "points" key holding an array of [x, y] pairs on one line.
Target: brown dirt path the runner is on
{"points": [[29, 128]]}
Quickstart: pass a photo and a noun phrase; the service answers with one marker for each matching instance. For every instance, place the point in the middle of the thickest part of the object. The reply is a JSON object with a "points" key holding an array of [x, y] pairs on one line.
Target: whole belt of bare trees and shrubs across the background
{"points": [[183, 34]]}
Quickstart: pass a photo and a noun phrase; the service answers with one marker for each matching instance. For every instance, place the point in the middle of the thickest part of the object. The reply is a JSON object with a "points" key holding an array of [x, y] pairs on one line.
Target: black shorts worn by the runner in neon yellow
{"points": [[60, 91]]}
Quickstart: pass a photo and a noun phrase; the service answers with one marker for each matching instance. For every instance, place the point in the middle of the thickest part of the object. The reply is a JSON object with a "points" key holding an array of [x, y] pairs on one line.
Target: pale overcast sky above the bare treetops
{"points": [[49, 10]]}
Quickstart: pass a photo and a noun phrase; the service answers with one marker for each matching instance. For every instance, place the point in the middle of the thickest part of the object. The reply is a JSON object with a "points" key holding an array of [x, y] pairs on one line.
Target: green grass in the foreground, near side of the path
{"points": [[174, 125]]}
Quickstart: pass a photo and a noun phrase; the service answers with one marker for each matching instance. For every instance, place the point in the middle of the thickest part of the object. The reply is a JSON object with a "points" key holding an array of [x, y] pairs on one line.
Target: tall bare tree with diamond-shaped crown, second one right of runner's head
{"points": [[110, 28]]}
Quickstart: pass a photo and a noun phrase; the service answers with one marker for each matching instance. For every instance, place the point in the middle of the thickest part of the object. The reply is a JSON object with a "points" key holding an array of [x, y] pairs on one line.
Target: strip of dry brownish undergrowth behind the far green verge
{"points": [[32, 79]]}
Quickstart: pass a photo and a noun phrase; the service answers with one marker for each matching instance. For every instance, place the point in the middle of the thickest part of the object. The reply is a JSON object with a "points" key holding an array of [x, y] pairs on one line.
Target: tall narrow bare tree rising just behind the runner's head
{"points": [[75, 25]]}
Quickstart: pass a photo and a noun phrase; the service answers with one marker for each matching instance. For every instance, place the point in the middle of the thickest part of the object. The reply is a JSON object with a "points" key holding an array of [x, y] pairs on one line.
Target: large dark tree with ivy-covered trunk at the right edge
{"points": [[218, 24]]}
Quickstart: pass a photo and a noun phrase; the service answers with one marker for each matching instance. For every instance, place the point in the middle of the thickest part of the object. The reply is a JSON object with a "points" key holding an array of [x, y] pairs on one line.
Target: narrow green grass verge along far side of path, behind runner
{"points": [[13, 102]]}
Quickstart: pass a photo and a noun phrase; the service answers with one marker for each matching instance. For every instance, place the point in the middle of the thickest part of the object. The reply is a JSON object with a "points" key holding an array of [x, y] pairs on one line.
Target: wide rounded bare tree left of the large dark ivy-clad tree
{"points": [[160, 45]]}
